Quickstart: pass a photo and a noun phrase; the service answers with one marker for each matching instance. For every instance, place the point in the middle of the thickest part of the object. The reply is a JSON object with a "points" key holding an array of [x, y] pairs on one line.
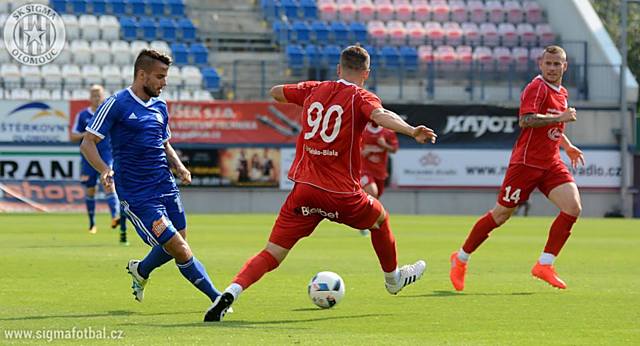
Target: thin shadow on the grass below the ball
{"points": [[274, 324]]}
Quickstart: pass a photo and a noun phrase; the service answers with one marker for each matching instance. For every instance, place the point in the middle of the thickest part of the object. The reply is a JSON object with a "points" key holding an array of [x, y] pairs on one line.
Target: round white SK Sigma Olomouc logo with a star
{"points": [[34, 34]]}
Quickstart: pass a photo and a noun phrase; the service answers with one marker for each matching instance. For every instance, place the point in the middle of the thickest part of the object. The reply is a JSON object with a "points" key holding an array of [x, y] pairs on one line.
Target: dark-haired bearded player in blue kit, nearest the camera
{"points": [[138, 123]]}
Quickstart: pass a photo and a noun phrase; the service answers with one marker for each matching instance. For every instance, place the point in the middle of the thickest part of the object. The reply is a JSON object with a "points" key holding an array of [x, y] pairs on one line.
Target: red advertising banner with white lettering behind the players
{"points": [[221, 122]]}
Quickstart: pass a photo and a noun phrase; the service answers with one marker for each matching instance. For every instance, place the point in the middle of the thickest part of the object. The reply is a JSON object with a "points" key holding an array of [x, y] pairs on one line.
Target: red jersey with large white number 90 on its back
{"points": [[334, 113]]}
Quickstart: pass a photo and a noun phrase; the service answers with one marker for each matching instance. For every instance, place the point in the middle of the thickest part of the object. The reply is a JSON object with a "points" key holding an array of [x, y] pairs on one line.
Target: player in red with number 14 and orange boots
{"points": [[535, 163]]}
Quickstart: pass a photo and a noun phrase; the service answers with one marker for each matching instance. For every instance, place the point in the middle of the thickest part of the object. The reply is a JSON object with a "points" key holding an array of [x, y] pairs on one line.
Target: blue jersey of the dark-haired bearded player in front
{"points": [[138, 132]]}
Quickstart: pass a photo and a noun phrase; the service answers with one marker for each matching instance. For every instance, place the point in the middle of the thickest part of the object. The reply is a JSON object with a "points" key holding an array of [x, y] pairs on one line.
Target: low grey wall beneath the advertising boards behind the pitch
{"points": [[448, 202]]}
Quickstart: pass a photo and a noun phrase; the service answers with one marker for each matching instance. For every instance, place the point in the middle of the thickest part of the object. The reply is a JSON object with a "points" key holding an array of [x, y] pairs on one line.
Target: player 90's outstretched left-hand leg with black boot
{"points": [[292, 224]]}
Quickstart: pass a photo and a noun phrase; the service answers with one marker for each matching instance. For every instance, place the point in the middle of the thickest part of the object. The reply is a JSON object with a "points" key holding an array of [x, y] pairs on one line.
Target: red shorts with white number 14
{"points": [[521, 180]]}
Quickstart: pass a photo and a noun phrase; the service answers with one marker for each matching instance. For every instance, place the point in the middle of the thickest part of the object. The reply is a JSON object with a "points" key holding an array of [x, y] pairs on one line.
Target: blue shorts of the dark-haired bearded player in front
{"points": [[158, 219]]}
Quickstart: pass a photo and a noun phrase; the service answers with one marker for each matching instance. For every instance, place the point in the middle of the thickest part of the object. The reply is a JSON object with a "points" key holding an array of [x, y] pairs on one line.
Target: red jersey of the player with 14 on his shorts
{"points": [[540, 147]]}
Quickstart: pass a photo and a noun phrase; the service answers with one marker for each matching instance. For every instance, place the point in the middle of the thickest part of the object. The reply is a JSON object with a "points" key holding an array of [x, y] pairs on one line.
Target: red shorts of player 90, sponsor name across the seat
{"points": [[306, 206]]}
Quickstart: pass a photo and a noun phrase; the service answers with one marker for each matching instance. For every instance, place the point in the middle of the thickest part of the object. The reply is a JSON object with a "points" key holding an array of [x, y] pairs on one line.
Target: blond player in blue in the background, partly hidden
{"points": [[88, 175]]}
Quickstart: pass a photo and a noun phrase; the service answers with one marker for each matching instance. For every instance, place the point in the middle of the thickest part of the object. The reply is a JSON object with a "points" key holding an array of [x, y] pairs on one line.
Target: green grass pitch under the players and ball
{"points": [[55, 276]]}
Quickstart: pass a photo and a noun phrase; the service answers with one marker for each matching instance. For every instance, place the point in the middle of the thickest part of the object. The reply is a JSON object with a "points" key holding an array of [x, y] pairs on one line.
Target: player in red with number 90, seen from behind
{"points": [[326, 172]]}
